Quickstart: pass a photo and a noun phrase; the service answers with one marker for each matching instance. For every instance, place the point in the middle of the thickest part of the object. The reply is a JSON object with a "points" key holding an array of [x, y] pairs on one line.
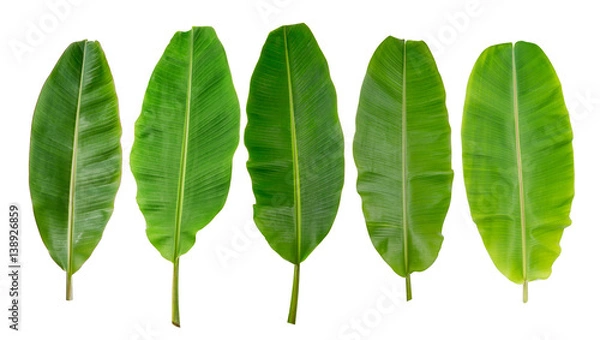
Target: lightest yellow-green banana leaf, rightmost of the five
{"points": [[518, 159]]}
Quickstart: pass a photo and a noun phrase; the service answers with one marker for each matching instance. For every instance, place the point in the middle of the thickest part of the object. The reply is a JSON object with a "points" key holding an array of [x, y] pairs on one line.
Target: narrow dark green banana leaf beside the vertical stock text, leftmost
{"points": [[75, 156]]}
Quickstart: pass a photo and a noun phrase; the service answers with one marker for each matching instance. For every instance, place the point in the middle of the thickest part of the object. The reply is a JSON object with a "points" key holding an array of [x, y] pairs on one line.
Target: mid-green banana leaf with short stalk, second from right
{"points": [[402, 152]]}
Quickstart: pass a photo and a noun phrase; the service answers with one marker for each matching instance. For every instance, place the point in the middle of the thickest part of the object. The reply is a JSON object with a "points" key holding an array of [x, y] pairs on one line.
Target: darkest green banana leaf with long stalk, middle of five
{"points": [[295, 146]]}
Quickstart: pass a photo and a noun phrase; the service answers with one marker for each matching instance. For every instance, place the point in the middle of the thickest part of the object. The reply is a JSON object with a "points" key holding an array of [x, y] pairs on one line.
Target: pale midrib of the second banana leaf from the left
{"points": [[184, 152]]}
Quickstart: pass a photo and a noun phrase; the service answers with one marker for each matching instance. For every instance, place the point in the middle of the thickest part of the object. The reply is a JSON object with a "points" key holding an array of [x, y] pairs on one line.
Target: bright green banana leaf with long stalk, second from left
{"points": [[185, 138]]}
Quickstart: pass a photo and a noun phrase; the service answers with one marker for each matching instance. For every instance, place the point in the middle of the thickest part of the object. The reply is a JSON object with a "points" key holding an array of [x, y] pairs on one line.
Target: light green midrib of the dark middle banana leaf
{"points": [[297, 196]]}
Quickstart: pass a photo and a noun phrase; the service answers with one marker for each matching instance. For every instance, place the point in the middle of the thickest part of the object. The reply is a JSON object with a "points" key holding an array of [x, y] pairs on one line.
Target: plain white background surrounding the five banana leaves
{"points": [[346, 291]]}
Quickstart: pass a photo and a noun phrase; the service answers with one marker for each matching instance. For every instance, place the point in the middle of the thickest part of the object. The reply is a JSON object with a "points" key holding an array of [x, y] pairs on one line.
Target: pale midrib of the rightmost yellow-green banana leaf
{"points": [[519, 165]]}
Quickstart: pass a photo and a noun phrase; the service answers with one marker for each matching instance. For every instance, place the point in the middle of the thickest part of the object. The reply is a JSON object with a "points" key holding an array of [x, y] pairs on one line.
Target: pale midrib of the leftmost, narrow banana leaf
{"points": [[73, 179]]}
